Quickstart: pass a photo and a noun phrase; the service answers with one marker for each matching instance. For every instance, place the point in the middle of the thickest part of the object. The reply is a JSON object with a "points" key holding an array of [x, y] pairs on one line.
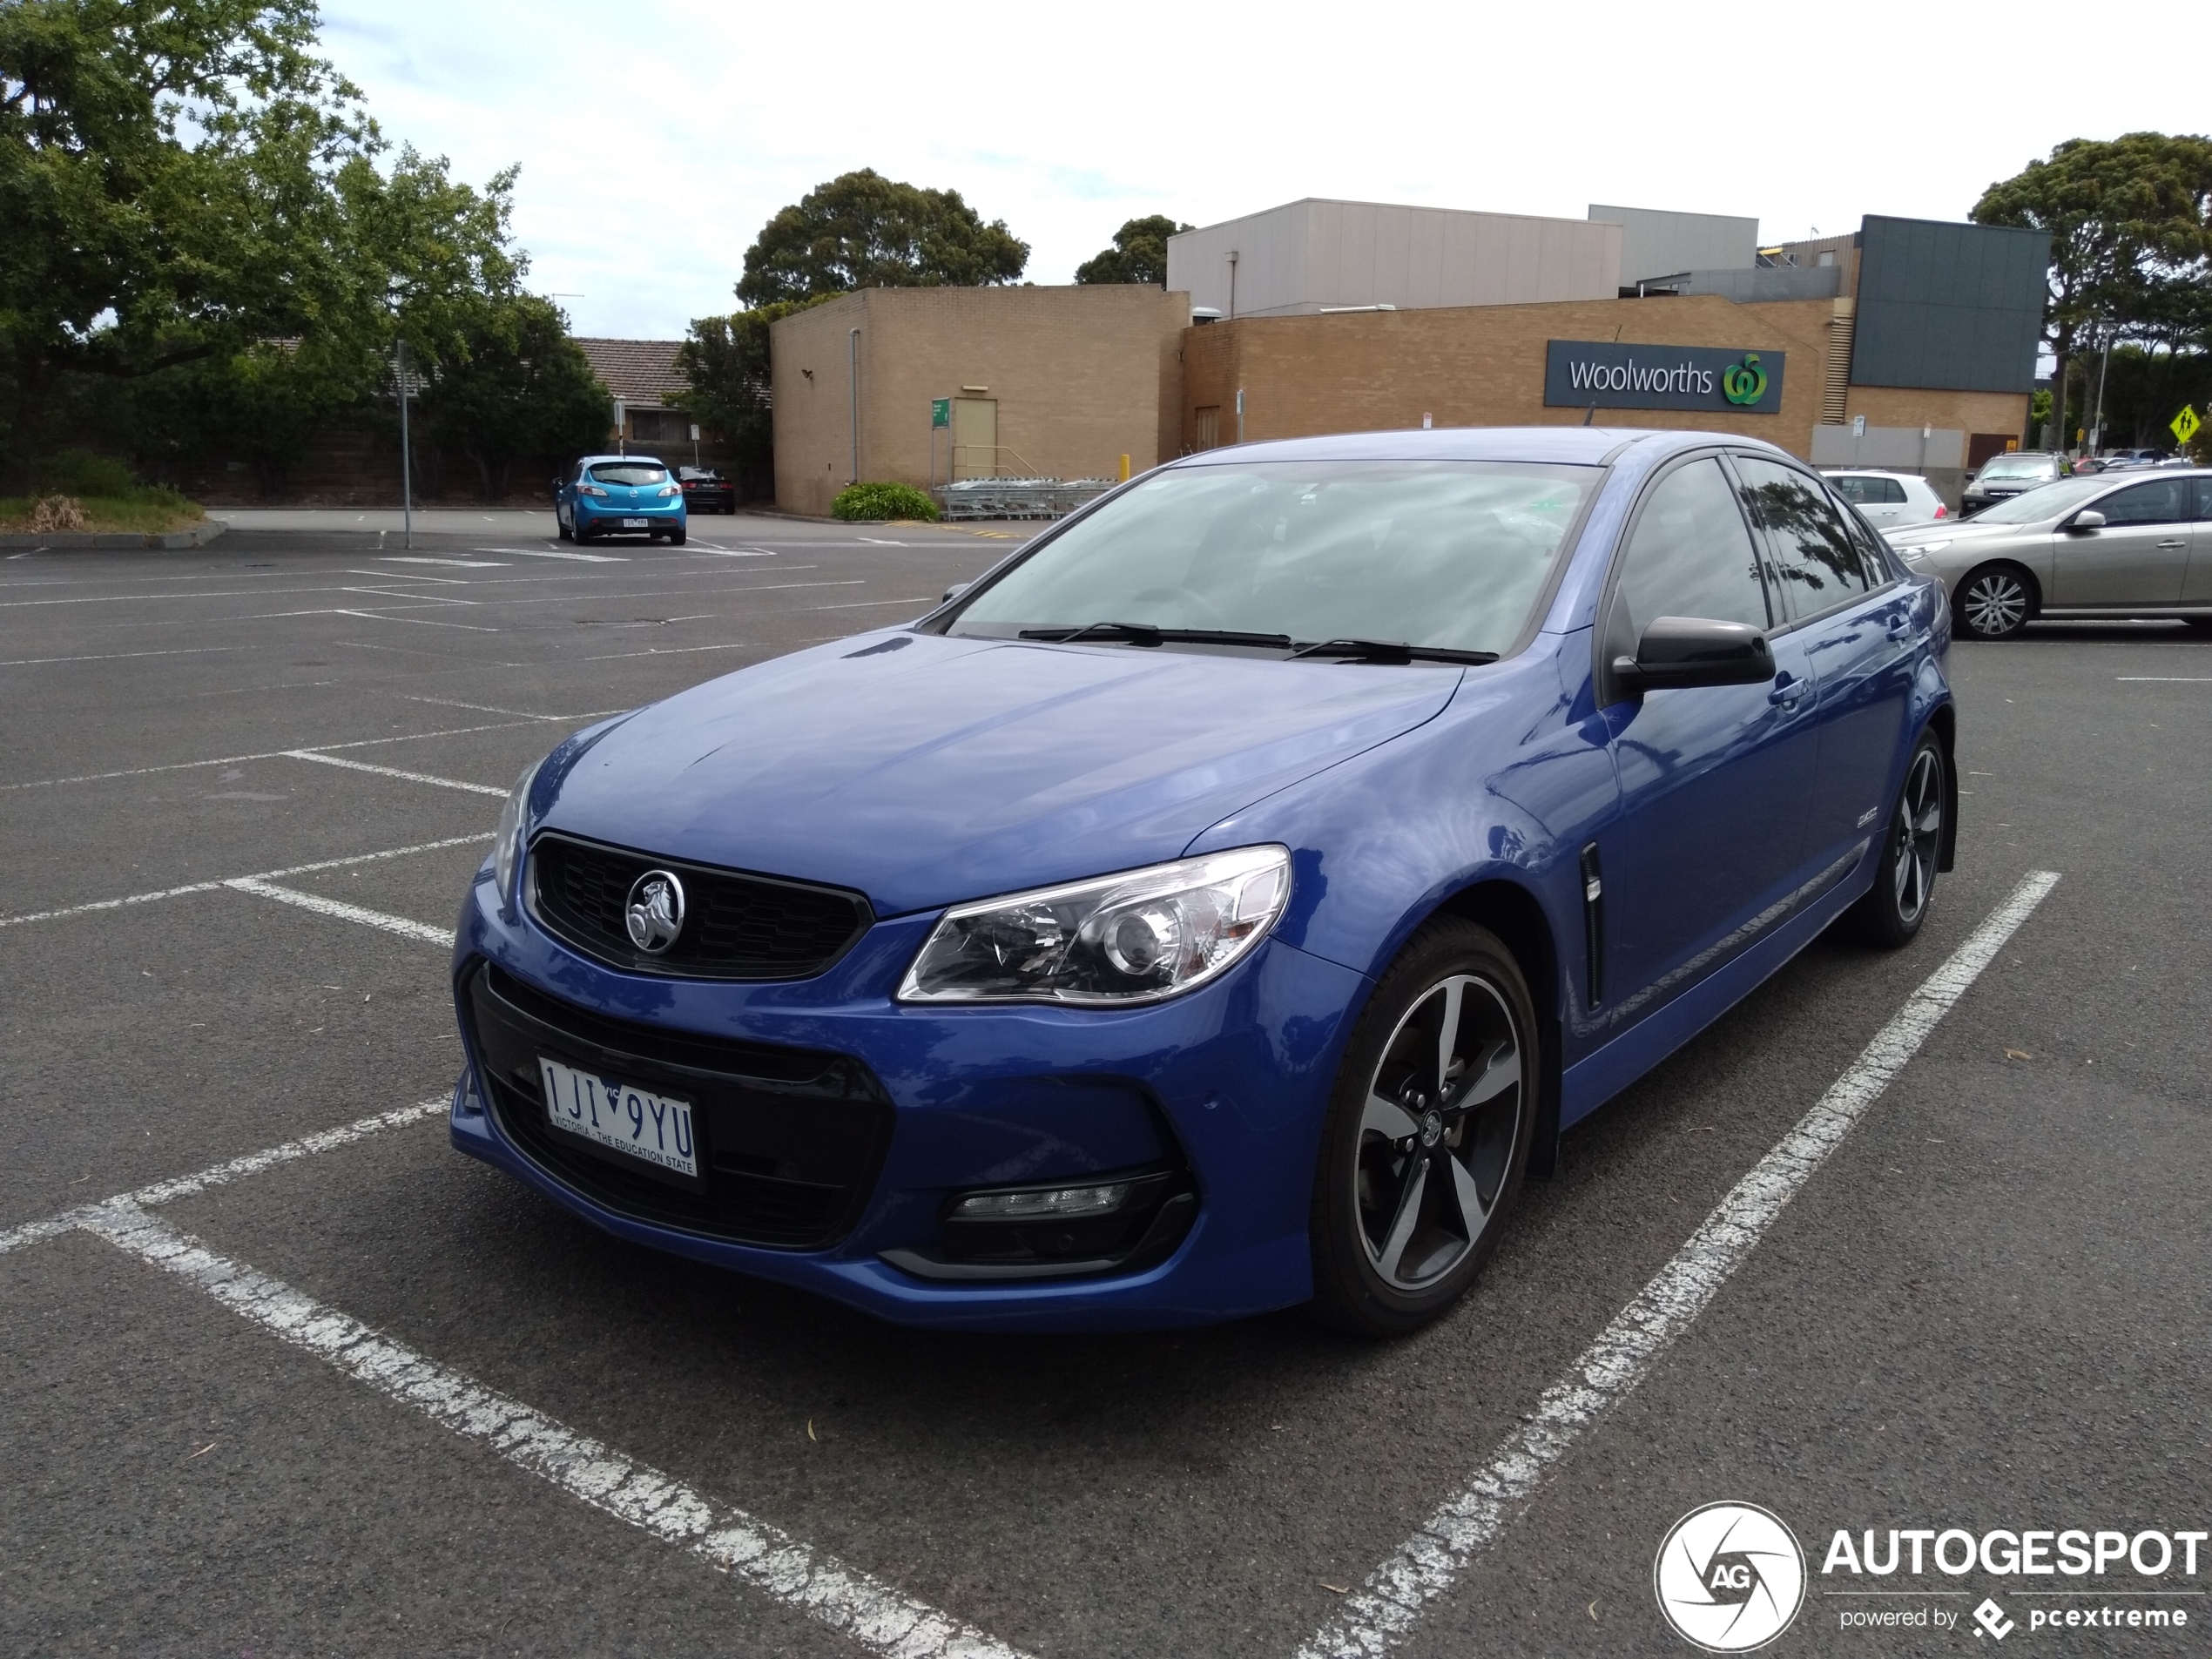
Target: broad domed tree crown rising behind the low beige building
{"points": [[866, 231]]}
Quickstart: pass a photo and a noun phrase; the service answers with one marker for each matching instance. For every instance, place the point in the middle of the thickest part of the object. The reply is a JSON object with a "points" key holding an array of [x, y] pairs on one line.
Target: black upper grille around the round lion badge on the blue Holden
{"points": [[735, 926]]}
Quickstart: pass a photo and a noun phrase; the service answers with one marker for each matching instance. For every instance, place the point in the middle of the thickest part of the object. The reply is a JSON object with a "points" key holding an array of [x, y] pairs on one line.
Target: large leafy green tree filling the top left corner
{"points": [[165, 180]]}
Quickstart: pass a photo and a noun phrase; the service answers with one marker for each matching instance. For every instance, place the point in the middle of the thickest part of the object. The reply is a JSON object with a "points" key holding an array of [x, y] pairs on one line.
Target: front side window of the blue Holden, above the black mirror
{"points": [[1689, 556]]}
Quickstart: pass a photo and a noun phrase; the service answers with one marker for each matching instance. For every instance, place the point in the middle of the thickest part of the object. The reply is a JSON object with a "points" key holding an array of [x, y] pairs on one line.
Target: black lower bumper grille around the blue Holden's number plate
{"points": [[791, 1140]]}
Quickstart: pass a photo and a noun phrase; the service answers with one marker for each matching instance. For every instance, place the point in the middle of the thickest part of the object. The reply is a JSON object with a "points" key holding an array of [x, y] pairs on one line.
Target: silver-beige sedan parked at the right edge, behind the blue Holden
{"points": [[2129, 545]]}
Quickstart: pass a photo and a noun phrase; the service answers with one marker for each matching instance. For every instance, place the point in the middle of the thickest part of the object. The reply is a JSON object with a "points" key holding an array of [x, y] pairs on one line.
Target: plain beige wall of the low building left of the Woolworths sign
{"points": [[1081, 375]]}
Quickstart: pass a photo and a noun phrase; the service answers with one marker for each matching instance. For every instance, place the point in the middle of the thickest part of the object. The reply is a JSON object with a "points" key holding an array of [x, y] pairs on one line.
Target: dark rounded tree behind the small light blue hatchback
{"points": [[514, 386]]}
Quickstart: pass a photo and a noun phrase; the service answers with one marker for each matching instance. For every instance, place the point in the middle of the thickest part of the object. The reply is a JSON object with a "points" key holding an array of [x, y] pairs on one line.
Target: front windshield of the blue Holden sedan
{"points": [[1446, 556]]}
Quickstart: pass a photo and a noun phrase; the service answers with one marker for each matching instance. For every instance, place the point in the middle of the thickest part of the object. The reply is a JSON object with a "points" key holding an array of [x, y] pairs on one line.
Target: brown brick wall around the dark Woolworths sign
{"points": [[1483, 366]]}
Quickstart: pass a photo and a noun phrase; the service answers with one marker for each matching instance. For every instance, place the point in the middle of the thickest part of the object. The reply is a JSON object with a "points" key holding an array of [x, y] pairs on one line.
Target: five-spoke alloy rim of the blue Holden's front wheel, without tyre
{"points": [[1439, 1131]]}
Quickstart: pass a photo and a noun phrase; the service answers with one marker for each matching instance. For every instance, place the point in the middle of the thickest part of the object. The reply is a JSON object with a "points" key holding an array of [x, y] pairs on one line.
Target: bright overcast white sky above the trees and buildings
{"points": [[658, 138]]}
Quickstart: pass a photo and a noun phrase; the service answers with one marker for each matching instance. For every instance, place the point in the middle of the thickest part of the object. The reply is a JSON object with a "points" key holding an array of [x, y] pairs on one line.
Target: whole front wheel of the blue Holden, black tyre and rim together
{"points": [[1417, 1180]]}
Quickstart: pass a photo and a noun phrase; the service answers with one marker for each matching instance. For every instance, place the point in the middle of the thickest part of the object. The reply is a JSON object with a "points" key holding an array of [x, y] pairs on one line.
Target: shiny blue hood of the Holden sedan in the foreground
{"points": [[926, 771]]}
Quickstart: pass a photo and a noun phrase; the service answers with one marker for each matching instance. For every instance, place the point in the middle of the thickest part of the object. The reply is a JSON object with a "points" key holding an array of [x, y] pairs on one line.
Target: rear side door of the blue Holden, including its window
{"points": [[1859, 629]]}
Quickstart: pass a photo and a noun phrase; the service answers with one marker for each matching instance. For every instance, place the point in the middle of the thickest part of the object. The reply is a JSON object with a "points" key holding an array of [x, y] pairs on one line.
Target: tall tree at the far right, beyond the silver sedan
{"points": [[2131, 236]]}
